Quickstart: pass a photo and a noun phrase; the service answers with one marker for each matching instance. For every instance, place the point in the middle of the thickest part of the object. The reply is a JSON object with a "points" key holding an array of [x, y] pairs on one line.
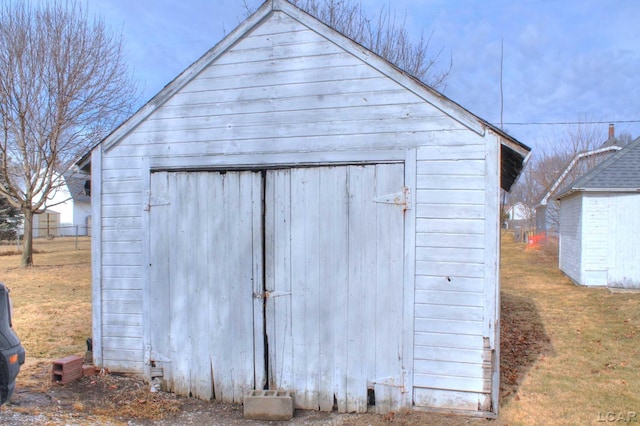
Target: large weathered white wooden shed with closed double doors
{"points": [[293, 212]]}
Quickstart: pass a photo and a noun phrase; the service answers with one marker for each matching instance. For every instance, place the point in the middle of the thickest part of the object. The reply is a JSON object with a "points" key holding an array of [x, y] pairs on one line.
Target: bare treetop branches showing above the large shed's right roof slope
{"points": [[383, 34]]}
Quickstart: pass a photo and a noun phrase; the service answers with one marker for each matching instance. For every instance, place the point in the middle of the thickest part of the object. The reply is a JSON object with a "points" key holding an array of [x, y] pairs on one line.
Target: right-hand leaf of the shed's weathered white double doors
{"points": [[335, 268]]}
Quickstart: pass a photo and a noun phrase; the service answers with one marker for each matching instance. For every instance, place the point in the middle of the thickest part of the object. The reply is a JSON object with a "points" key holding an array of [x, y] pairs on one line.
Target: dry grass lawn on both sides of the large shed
{"points": [[570, 354]]}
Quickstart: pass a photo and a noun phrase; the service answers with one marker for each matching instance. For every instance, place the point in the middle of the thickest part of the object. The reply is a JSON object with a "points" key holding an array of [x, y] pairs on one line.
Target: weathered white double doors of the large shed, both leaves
{"points": [[281, 279]]}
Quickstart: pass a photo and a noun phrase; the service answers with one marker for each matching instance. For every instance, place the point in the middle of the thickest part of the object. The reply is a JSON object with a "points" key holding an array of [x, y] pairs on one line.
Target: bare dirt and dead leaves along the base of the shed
{"points": [[110, 399]]}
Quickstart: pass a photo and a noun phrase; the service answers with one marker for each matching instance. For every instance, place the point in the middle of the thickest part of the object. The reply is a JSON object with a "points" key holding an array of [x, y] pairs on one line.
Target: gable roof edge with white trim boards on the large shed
{"points": [[514, 153]]}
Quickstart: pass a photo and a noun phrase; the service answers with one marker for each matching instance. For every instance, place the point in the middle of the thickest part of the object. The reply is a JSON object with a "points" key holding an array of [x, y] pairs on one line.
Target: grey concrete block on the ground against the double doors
{"points": [[268, 405]]}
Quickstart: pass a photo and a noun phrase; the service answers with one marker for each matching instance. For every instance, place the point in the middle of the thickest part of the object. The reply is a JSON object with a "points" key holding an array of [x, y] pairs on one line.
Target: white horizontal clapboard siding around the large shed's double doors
{"points": [[285, 96]]}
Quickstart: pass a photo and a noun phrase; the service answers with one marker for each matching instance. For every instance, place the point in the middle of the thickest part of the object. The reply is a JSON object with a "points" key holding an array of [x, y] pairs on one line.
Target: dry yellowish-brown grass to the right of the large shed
{"points": [[592, 366]]}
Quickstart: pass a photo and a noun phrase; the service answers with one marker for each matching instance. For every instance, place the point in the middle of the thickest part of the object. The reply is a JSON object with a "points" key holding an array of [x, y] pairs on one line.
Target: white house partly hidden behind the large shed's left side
{"points": [[67, 210]]}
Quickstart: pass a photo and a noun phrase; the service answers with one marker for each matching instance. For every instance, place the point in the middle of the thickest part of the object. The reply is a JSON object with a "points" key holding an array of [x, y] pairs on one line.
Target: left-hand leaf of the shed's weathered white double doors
{"points": [[202, 282]]}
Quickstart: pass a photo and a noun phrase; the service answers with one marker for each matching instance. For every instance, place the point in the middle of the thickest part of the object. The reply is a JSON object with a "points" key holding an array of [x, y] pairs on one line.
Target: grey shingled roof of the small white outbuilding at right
{"points": [[618, 173]]}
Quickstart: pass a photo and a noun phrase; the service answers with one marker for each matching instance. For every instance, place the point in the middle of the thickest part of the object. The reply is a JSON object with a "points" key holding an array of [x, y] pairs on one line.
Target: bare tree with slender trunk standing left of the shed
{"points": [[63, 87]]}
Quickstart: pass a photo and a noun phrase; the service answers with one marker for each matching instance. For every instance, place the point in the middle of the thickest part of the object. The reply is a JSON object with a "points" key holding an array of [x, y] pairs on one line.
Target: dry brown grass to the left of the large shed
{"points": [[52, 300]]}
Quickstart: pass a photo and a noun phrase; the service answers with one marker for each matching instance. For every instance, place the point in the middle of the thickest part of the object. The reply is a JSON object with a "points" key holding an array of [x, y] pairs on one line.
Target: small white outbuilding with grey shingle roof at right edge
{"points": [[600, 224]]}
